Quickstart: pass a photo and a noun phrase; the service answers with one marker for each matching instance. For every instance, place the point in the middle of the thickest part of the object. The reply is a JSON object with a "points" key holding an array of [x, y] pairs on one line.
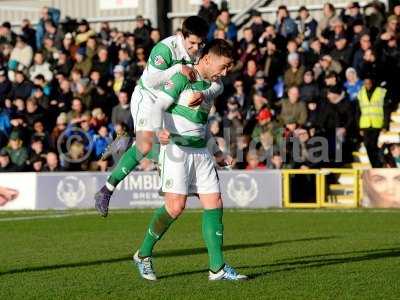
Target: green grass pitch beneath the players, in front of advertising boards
{"points": [[293, 254]]}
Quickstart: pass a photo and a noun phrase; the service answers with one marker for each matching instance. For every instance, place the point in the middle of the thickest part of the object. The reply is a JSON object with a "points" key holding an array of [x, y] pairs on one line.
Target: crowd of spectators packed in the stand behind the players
{"points": [[293, 92]]}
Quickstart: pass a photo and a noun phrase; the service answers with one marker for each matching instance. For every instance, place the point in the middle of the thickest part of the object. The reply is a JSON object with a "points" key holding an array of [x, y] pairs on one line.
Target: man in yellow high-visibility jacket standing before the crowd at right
{"points": [[371, 106]]}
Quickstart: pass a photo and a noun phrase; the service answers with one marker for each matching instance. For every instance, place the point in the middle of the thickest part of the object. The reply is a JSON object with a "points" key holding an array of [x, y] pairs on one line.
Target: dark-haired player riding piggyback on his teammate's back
{"points": [[174, 54]]}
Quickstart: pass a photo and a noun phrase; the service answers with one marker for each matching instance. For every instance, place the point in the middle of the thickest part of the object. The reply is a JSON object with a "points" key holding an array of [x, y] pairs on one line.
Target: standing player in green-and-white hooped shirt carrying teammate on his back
{"points": [[187, 166]]}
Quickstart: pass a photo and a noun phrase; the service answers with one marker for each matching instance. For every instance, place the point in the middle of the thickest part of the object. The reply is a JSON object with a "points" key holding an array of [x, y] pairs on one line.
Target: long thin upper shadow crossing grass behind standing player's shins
{"points": [[168, 253]]}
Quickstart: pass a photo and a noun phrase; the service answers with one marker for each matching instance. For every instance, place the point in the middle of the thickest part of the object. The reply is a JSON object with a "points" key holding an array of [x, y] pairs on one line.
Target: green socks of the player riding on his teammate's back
{"points": [[128, 162]]}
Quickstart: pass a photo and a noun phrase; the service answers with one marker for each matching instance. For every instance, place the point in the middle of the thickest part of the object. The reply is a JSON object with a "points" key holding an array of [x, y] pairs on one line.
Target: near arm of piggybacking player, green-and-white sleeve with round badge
{"points": [[160, 66]]}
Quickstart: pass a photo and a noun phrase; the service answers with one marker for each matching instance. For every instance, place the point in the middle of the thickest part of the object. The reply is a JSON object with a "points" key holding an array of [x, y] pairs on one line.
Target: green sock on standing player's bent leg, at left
{"points": [[159, 224]]}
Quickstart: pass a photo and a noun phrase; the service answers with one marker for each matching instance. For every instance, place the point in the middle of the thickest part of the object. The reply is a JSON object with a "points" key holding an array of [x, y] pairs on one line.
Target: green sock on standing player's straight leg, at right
{"points": [[213, 231]]}
